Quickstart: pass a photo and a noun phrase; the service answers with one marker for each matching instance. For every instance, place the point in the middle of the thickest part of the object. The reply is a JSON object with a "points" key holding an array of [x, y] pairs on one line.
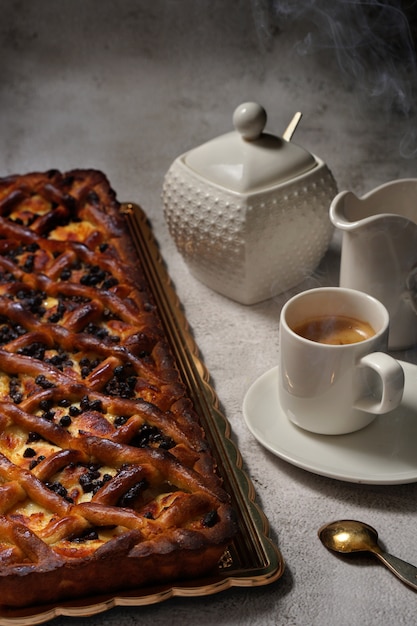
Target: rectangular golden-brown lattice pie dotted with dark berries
{"points": [[107, 482]]}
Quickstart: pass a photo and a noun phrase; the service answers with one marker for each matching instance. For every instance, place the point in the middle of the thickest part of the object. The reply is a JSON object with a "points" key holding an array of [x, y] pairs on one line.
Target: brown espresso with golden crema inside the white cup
{"points": [[335, 330]]}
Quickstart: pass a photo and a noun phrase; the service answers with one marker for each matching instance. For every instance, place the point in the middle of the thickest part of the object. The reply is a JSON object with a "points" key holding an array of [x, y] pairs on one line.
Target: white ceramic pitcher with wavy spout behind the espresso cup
{"points": [[379, 251]]}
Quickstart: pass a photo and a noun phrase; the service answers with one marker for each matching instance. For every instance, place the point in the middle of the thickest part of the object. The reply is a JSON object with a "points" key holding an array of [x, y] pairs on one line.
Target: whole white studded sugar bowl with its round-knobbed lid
{"points": [[248, 211]]}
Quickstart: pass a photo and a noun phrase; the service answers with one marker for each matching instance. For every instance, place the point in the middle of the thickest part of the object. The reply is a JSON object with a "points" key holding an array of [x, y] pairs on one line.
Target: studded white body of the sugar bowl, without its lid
{"points": [[249, 247]]}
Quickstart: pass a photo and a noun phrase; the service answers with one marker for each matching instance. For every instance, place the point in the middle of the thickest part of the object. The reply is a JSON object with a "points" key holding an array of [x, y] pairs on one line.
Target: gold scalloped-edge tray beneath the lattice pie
{"points": [[253, 559]]}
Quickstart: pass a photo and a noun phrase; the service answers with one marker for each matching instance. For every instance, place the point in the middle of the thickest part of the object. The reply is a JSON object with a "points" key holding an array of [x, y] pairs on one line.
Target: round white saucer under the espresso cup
{"points": [[384, 453]]}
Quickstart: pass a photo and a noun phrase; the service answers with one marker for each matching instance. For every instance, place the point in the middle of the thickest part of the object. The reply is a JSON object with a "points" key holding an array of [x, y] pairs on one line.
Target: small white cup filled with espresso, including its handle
{"points": [[336, 388]]}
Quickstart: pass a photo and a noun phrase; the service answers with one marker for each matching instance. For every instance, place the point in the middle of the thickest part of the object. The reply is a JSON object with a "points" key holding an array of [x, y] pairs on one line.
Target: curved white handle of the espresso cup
{"points": [[391, 374]]}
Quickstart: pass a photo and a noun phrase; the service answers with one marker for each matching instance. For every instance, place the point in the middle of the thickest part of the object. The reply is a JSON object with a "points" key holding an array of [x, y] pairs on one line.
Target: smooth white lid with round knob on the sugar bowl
{"points": [[248, 159]]}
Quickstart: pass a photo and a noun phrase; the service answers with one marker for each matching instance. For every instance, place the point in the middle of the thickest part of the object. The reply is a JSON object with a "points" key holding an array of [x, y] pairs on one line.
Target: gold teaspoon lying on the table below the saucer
{"points": [[348, 536]]}
